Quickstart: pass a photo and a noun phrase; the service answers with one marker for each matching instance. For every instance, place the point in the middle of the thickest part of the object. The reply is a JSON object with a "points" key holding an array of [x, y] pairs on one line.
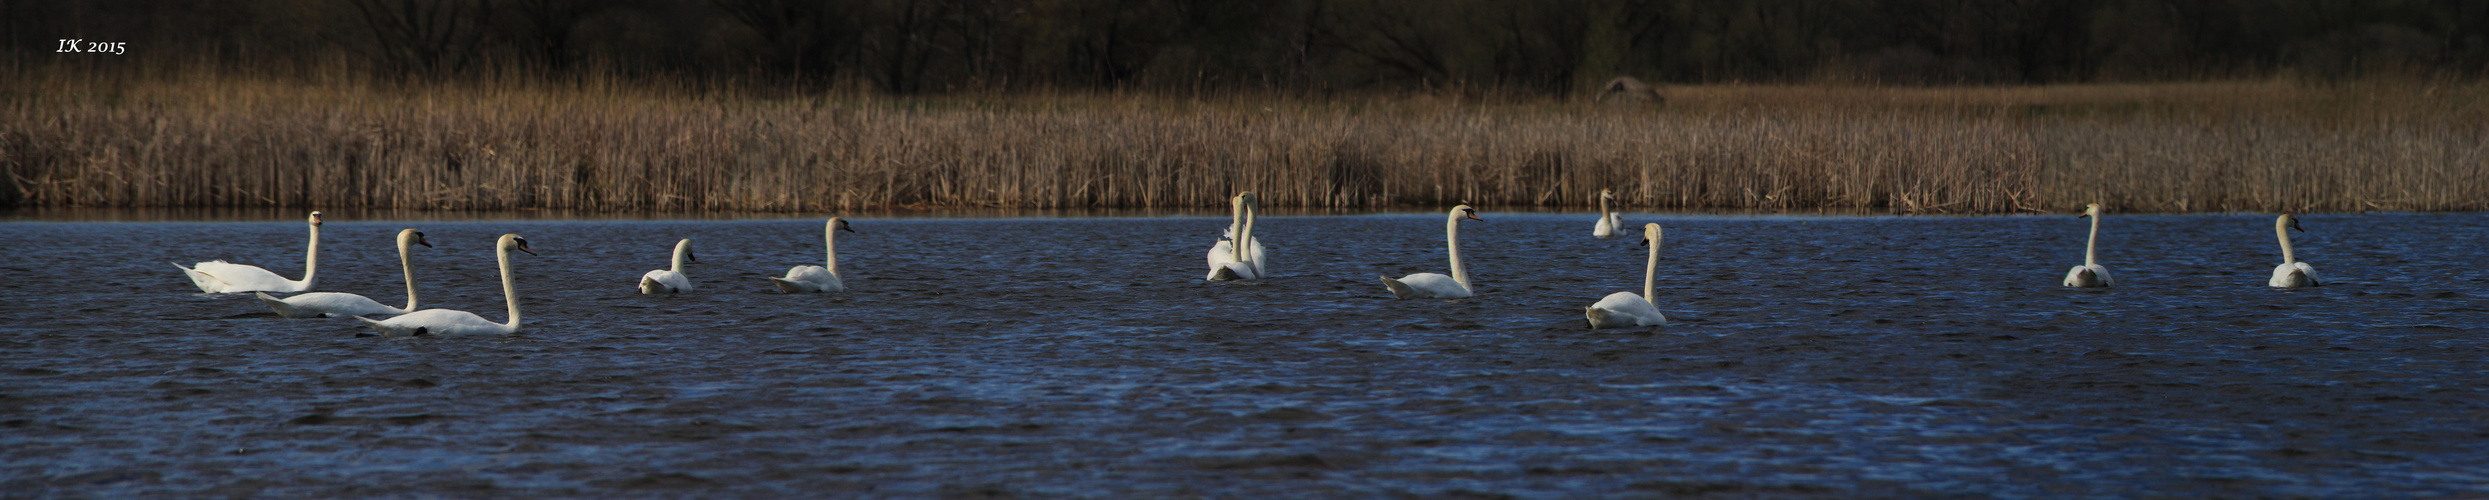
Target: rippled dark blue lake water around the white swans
{"points": [[1086, 359]]}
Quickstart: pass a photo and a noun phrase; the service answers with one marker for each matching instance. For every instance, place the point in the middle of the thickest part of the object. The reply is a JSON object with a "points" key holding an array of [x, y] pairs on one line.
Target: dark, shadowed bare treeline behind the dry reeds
{"points": [[1522, 46]]}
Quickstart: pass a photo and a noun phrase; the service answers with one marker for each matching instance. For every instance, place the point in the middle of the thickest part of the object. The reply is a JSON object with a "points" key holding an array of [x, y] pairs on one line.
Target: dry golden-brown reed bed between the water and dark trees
{"points": [[606, 148]]}
